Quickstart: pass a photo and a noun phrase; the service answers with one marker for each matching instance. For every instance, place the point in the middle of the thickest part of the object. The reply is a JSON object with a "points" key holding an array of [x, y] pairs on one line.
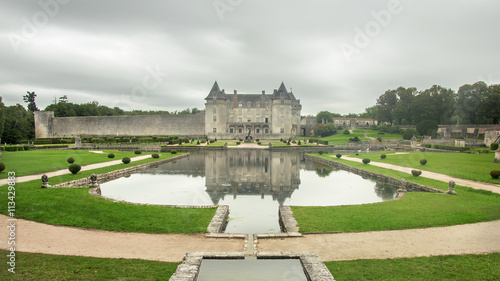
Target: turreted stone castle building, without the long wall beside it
{"points": [[273, 116]]}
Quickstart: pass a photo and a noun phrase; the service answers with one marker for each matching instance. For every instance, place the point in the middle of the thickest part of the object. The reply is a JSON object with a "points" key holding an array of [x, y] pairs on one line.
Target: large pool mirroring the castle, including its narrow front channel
{"points": [[252, 182]]}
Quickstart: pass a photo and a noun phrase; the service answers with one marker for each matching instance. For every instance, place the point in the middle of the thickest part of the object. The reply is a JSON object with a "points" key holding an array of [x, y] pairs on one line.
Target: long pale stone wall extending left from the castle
{"points": [[48, 126]]}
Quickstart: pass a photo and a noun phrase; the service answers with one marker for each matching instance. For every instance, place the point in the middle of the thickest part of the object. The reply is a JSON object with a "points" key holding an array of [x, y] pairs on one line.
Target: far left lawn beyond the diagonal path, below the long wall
{"points": [[41, 161]]}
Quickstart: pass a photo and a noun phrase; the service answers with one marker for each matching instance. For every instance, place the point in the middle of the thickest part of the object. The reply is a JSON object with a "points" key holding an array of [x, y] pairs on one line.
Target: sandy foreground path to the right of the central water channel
{"points": [[452, 240]]}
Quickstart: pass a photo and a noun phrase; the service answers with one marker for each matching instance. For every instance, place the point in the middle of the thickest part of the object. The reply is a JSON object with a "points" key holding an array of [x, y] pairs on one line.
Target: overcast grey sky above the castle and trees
{"points": [[165, 55]]}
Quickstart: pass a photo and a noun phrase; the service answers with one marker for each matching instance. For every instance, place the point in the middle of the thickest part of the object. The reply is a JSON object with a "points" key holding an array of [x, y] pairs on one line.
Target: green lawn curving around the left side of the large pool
{"points": [[76, 207]]}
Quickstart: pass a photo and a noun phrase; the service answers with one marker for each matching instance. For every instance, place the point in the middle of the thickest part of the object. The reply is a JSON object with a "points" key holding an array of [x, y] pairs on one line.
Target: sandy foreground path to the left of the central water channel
{"points": [[60, 240]]}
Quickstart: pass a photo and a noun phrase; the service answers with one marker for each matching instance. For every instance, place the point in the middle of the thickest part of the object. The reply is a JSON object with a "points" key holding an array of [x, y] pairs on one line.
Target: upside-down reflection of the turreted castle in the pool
{"points": [[252, 172]]}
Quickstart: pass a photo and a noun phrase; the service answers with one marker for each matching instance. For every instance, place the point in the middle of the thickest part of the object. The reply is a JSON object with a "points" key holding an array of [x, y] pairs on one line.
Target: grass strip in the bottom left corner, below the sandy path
{"points": [[31, 266]]}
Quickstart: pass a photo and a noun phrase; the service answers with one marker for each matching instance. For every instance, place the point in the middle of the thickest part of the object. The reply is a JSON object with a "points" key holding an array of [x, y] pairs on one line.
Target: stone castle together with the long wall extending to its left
{"points": [[226, 116]]}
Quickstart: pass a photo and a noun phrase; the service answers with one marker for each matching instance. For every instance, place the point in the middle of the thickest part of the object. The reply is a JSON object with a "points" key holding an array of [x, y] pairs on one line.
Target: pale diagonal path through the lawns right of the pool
{"points": [[432, 175]]}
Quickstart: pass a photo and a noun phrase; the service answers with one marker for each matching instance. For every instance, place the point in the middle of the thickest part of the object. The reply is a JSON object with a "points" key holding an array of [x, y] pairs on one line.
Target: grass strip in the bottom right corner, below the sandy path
{"points": [[459, 267]]}
